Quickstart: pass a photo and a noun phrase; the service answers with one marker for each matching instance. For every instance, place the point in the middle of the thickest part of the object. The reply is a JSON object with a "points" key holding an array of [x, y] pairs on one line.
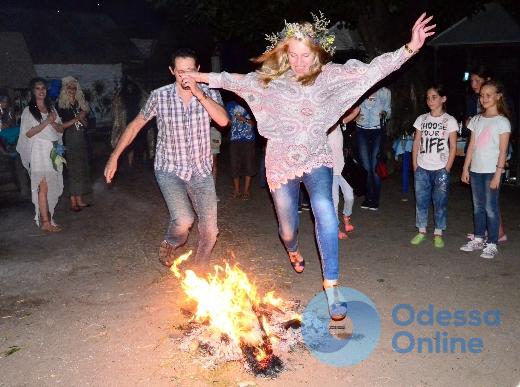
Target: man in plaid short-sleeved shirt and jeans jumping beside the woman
{"points": [[183, 158]]}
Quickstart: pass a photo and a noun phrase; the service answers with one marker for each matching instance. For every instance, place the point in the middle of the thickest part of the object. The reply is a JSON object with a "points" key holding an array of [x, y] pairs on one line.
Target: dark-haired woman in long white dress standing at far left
{"points": [[41, 131]]}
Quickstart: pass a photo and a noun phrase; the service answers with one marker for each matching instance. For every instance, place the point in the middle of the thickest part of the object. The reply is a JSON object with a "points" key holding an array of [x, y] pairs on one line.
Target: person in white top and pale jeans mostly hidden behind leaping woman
{"points": [[335, 141]]}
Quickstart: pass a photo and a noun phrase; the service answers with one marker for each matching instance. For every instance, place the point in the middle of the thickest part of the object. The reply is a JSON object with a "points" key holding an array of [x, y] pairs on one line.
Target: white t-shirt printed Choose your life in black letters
{"points": [[435, 132]]}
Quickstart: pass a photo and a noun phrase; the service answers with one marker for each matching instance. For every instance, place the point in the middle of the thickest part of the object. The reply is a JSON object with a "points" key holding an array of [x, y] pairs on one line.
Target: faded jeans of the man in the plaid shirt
{"points": [[183, 198]]}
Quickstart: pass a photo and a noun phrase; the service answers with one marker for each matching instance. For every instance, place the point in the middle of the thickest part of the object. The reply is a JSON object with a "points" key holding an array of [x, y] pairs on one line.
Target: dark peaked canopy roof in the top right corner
{"points": [[493, 25]]}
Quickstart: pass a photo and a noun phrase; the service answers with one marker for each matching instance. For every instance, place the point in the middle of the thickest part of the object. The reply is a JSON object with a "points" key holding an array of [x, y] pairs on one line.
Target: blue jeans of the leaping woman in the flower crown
{"points": [[318, 183]]}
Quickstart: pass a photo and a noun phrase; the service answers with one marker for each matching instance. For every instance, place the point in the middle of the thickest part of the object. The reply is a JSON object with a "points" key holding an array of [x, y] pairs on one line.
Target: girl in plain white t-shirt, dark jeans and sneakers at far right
{"points": [[484, 165]]}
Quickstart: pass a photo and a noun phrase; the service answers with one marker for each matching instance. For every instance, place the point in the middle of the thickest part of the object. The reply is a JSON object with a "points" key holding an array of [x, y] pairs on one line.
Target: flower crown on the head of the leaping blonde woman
{"points": [[317, 32]]}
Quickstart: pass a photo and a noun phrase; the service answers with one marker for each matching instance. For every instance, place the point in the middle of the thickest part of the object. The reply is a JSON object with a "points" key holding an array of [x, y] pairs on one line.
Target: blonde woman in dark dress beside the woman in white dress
{"points": [[73, 109]]}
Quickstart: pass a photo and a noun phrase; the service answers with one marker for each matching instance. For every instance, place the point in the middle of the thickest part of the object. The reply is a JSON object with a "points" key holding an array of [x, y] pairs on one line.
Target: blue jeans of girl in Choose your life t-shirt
{"points": [[431, 185]]}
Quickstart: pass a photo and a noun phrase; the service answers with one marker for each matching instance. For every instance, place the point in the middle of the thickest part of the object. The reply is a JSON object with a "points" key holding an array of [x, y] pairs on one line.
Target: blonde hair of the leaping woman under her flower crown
{"points": [[275, 62]]}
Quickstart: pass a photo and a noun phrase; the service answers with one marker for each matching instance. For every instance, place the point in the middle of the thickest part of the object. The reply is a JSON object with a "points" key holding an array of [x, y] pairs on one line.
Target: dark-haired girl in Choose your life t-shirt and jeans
{"points": [[433, 153]]}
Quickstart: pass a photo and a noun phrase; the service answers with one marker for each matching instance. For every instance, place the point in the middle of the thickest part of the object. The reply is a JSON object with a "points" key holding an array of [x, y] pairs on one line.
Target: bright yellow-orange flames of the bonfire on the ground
{"points": [[229, 303]]}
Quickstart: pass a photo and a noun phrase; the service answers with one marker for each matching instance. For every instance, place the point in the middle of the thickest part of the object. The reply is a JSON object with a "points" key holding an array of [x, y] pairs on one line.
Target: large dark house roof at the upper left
{"points": [[69, 37]]}
